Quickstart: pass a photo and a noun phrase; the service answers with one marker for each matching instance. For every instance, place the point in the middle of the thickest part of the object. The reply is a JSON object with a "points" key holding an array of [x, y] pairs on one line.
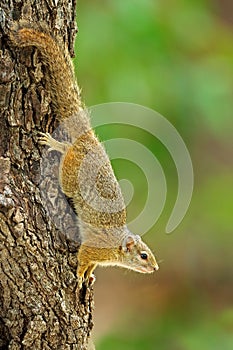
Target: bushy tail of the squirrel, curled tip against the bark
{"points": [[61, 79]]}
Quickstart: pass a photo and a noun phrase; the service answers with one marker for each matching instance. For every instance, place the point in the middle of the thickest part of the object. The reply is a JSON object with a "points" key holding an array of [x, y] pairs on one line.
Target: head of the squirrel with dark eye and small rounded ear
{"points": [[136, 255]]}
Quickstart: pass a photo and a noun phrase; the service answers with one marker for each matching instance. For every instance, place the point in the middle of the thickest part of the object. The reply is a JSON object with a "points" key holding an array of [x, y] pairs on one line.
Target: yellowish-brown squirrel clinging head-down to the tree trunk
{"points": [[86, 175]]}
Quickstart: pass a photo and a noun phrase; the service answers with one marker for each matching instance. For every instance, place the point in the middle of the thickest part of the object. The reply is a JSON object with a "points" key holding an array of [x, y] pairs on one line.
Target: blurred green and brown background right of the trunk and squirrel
{"points": [[174, 56]]}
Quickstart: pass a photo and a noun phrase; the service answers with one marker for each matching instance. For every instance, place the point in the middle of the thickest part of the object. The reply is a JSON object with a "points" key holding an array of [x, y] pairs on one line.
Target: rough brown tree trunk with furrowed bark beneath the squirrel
{"points": [[40, 305]]}
